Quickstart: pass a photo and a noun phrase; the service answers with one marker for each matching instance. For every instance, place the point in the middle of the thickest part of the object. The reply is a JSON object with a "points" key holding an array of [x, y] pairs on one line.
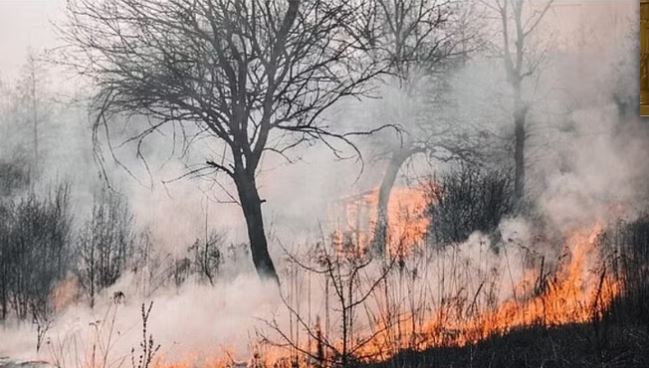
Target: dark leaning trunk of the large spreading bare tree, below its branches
{"points": [[251, 206]]}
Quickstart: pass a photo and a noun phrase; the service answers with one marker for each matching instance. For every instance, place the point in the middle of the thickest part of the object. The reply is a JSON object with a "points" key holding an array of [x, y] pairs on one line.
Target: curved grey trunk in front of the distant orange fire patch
{"points": [[379, 242]]}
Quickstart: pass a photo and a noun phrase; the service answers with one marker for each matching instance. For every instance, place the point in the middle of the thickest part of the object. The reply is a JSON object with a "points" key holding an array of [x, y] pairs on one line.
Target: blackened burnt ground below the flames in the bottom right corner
{"points": [[569, 346]]}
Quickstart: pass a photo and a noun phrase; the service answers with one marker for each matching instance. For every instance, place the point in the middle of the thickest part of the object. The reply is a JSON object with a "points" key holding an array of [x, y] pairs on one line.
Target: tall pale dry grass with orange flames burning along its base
{"points": [[373, 312]]}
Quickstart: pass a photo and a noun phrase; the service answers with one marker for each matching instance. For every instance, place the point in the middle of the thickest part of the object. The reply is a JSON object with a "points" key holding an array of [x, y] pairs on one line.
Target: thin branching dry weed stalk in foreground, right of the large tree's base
{"points": [[352, 286]]}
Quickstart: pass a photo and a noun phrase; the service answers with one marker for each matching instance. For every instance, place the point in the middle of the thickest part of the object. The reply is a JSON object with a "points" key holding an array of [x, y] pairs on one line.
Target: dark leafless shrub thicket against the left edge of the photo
{"points": [[34, 252]]}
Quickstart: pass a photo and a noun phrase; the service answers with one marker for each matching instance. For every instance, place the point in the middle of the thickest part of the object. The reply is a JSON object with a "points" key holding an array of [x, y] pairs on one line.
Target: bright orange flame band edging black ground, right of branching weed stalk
{"points": [[580, 291]]}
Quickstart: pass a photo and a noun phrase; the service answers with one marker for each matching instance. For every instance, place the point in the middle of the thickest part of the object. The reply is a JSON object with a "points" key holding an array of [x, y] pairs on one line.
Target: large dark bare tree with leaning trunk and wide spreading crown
{"points": [[253, 75]]}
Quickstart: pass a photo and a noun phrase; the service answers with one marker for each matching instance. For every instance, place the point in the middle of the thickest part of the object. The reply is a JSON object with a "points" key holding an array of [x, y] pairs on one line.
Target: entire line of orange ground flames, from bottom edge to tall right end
{"points": [[578, 291]]}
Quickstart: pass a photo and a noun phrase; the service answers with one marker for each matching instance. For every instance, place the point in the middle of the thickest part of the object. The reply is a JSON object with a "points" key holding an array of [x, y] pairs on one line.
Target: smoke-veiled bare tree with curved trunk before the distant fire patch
{"points": [[421, 41]]}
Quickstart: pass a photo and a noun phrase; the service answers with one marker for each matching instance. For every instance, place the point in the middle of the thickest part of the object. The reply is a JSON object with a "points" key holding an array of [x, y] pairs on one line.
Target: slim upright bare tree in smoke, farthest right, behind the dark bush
{"points": [[518, 20]]}
